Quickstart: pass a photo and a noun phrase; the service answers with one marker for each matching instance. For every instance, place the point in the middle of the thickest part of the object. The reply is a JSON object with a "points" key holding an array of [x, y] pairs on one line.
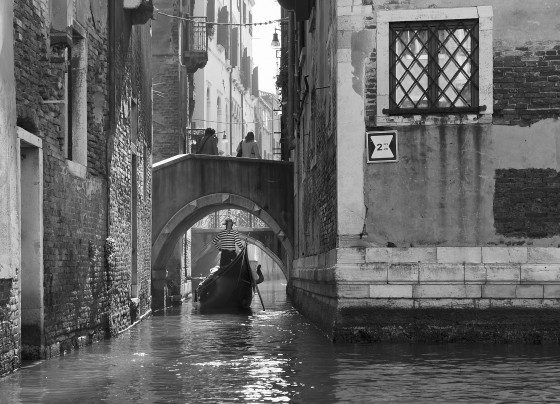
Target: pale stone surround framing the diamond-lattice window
{"points": [[386, 115]]}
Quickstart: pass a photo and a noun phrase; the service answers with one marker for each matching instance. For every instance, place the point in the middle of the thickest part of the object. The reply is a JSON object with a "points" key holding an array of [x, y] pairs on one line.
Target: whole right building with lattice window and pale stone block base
{"points": [[425, 140]]}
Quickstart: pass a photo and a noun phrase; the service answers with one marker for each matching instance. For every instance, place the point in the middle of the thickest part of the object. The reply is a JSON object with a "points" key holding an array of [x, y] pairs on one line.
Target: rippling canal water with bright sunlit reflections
{"points": [[276, 356]]}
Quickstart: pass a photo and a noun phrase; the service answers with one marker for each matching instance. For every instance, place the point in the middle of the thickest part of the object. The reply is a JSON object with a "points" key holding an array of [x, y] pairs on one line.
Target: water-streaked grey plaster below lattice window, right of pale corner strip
{"points": [[441, 191]]}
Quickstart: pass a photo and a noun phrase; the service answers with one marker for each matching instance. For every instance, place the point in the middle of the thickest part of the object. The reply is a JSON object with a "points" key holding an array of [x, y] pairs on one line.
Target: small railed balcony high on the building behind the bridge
{"points": [[195, 43]]}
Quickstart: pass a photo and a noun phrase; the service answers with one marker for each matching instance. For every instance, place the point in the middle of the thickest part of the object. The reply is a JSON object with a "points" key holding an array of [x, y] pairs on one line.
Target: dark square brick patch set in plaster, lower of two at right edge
{"points": [[526, 203]]}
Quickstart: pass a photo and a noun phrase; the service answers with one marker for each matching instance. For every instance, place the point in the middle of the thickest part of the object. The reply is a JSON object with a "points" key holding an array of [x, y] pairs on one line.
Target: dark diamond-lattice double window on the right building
{"points": [[433, 66]]}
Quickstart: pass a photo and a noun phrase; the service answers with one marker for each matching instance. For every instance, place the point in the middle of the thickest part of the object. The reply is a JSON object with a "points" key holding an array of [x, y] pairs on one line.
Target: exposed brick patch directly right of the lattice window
{"points": [[526, 82]]}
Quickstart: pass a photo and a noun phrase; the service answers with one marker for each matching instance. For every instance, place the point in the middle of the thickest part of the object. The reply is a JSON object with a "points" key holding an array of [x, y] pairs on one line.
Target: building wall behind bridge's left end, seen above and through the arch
{"points": [[180, 42]]}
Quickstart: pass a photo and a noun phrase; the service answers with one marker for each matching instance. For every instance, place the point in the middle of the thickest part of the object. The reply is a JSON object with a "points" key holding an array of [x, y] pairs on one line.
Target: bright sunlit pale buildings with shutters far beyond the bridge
{"points": [[226, 89]]}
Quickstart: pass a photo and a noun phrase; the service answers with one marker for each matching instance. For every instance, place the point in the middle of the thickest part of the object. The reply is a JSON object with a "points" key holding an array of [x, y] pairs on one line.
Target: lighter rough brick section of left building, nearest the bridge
{"points": [[132, 71]]}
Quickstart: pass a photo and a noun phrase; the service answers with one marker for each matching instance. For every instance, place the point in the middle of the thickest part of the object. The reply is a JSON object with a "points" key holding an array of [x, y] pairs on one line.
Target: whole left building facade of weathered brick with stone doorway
{"points": [[79, 140]]}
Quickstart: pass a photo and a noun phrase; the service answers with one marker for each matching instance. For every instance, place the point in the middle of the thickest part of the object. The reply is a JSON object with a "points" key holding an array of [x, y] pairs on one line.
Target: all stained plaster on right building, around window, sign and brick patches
{"points": [[399, 203]]}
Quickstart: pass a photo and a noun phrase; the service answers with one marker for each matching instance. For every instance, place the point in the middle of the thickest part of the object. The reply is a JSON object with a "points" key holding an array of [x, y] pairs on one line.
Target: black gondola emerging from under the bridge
{"points": [[229, 288]]}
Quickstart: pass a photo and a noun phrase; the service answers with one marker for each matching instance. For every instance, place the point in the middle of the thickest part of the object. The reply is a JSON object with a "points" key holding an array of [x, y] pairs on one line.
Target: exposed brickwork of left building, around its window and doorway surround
{"points": [[84, 300]]}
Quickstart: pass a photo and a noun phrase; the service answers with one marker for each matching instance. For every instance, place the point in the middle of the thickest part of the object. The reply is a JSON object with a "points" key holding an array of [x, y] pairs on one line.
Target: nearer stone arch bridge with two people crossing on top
{"points": [[186, 188]]}
